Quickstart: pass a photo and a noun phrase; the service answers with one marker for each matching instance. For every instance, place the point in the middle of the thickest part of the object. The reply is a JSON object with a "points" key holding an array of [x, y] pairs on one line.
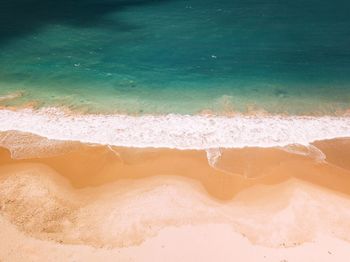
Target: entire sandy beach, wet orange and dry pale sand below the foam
{"points": [[91, 202]]}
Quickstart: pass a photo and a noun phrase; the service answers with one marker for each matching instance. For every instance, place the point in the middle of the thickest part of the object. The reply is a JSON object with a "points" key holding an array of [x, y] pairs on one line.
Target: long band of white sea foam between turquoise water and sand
{"points": [[176, 131]]}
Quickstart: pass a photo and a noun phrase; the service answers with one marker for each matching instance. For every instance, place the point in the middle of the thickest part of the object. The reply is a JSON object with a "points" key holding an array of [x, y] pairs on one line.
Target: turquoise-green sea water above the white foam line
{"points": [[177, 56]]}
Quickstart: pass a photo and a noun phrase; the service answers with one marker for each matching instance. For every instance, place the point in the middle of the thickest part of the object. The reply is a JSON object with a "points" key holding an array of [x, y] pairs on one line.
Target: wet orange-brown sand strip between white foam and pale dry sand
{"points": [[236, 169]]}
